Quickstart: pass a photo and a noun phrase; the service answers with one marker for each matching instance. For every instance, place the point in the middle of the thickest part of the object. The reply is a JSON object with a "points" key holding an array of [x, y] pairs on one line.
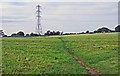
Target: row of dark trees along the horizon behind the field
{"points": [[50, 33]]}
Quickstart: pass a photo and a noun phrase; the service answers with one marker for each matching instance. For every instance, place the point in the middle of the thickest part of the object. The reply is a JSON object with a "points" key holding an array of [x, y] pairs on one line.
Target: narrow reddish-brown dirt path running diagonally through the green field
{"points": [[88, 68]]}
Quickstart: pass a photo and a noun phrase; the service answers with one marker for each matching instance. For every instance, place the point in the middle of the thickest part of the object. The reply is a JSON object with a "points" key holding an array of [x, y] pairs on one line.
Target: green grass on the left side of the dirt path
{"points": [[38, 55]]}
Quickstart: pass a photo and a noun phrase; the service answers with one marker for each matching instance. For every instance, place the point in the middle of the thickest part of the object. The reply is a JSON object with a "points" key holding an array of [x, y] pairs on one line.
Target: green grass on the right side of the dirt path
{"points": [[99, 51]]}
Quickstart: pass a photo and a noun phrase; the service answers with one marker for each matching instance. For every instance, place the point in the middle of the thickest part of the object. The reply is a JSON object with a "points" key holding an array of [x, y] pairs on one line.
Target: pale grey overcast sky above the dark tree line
{"points": [[62, 16]]}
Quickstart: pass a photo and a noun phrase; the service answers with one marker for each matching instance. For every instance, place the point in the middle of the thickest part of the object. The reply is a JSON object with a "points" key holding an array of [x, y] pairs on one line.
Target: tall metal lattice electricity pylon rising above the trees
{"points": [[39, 27]]}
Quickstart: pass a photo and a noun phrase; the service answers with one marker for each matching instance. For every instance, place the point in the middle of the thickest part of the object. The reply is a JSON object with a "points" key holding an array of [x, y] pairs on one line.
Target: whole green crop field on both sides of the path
{"points": [[53, 54]]}
